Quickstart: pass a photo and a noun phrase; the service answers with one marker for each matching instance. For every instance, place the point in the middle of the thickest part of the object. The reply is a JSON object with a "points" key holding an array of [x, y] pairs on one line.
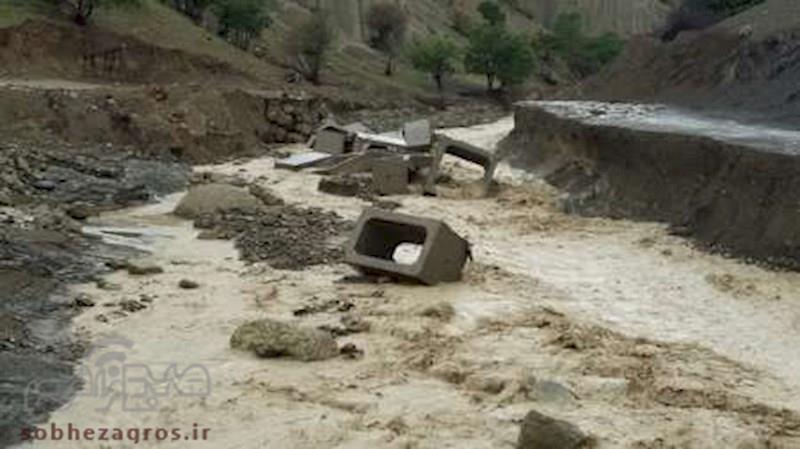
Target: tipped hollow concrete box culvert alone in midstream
{"points": [[379, 234]]}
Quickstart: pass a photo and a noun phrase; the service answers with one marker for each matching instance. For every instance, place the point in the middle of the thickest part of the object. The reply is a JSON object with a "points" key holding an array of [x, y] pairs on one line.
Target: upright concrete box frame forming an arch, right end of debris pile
{"points": [[471, 153]]}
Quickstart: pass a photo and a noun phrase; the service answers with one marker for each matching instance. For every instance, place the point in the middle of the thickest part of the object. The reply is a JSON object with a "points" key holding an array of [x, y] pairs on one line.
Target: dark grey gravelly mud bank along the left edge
{"points": [[42, 250]]}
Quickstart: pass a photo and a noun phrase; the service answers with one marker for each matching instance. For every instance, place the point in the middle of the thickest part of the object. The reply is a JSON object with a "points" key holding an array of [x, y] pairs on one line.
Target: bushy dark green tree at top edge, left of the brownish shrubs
{"points": [[241, 20]]}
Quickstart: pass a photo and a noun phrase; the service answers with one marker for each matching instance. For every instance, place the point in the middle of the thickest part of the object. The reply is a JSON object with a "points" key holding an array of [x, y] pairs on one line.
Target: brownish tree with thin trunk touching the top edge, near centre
{"points": [[387, 24]]}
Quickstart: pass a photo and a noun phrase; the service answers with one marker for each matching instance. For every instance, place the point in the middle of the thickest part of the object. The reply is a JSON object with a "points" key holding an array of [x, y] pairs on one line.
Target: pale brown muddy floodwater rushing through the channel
{"points": [[617, 327]]}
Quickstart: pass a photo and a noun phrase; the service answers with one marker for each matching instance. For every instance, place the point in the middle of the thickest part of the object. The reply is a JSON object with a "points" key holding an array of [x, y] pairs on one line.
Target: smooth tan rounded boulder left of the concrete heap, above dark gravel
{"points": [[211, 198]]}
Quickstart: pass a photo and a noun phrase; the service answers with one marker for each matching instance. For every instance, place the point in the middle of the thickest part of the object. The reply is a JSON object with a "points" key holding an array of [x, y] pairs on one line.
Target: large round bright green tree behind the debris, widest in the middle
{"points": [[499, 55]]}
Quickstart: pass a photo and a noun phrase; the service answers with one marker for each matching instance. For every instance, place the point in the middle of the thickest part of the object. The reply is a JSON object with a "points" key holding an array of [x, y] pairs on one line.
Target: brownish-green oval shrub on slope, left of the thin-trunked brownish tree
{"points": [[309, 43]]}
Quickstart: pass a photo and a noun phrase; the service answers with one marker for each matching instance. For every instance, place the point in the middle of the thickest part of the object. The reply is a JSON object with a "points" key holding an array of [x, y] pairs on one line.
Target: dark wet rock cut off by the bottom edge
{"points": [[543, 432]]}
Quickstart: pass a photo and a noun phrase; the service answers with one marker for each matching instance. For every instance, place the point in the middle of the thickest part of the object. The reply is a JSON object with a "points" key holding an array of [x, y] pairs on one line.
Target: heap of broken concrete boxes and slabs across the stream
{"points": [[390, 163]]}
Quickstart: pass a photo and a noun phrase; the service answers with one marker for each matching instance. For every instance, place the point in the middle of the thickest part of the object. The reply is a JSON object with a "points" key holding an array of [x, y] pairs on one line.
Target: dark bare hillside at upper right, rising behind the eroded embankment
{"points": [[748, 65]]}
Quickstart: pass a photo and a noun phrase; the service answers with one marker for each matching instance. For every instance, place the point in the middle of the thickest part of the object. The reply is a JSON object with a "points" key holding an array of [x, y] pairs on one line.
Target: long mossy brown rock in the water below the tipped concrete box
{"points": [[269, 338]]}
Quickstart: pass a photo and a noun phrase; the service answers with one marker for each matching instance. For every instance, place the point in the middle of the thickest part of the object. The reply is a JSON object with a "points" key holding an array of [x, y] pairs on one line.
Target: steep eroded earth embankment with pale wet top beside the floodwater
{"points": [[731, 186]]}
